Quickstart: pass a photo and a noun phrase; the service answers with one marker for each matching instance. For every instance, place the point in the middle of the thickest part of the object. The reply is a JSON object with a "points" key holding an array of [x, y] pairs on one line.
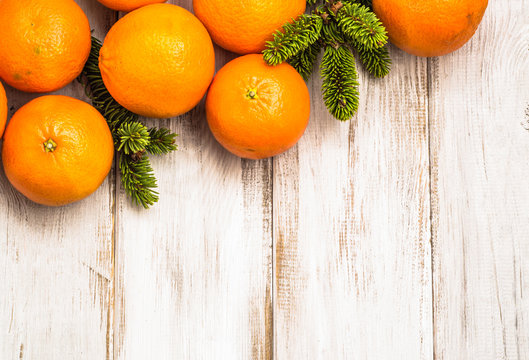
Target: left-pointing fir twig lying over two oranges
{"points": [[293, 38]]}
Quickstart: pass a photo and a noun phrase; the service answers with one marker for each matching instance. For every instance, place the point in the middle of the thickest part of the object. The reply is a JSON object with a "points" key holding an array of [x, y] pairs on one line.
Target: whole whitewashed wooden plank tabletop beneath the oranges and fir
{"points": [[402, 234]]}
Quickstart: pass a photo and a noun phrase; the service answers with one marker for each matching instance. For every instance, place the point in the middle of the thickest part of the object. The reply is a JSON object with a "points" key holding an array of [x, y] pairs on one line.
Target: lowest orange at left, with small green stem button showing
{"points": [[57, 150]]}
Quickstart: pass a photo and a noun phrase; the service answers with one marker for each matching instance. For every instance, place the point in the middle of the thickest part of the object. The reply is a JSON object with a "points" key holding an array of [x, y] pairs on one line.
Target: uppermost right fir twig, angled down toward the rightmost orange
{"points": [[359, 23]]}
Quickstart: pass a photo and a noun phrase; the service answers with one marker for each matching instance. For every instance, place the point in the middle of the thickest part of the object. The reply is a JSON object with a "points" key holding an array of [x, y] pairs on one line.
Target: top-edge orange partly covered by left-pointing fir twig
{"points": [[244, 26]]}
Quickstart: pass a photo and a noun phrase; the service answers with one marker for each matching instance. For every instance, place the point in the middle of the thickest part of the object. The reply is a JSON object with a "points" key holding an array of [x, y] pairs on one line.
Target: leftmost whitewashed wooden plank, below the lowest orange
{"points": [[56, 263]]}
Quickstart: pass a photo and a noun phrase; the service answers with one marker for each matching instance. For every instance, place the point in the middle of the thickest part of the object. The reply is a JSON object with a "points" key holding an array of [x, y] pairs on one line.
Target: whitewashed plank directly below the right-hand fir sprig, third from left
{"points": [[351, 227]]}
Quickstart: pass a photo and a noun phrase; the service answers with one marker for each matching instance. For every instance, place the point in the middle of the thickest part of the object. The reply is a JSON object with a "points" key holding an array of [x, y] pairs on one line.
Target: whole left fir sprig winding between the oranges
{"points": [[132, 139]]}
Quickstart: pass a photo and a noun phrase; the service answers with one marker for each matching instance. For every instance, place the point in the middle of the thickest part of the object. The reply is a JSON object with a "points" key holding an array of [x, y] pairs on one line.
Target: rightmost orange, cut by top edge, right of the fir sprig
{"points": [[430, 27]]}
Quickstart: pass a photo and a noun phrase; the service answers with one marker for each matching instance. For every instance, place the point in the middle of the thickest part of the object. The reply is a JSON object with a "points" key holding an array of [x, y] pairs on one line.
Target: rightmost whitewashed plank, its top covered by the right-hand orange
{"points": [[480, 171]]}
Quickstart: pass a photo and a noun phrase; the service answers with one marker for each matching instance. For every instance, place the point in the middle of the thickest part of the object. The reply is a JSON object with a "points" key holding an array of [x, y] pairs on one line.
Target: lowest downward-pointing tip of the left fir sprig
{"points": [[137, 178]]}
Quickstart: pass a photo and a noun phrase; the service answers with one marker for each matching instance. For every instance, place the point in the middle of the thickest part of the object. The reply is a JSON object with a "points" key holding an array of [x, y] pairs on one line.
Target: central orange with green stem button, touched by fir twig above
{"points": [[256, 111]]}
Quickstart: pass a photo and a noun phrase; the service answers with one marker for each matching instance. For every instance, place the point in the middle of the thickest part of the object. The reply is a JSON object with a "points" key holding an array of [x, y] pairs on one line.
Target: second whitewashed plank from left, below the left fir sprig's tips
{"points": [[194, 272]]}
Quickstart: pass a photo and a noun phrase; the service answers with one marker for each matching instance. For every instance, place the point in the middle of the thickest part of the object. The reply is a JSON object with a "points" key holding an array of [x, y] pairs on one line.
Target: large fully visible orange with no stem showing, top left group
{"points": [[158, 61]]}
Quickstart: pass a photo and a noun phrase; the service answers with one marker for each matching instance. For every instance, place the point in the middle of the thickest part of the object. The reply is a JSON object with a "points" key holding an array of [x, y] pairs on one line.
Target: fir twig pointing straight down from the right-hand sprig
{"points": [[340, 85]]}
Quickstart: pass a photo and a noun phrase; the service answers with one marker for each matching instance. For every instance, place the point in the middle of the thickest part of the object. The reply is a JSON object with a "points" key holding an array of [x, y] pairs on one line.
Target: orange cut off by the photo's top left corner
{"points": [[43, 44]]}
